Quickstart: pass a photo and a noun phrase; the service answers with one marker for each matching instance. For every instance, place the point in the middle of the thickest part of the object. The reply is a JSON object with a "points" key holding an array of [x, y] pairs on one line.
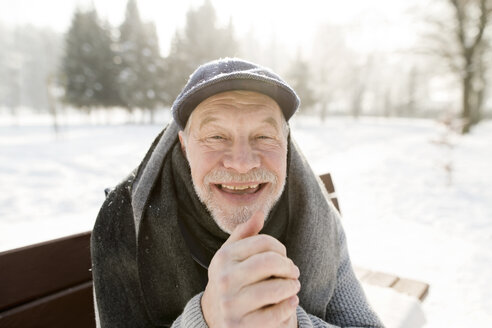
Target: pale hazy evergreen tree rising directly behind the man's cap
{"points": [[200, 41]]}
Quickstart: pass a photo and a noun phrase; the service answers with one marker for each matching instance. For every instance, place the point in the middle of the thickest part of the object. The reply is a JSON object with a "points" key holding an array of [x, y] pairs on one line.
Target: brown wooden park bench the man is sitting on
{"points": [[50, 284]]}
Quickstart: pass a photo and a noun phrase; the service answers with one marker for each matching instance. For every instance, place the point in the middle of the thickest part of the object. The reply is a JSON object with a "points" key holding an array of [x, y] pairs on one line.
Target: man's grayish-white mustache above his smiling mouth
{"points": [[260, 175]]}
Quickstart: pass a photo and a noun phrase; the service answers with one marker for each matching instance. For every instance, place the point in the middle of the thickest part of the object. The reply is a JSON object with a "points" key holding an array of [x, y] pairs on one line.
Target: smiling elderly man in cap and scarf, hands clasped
{"points": [[224, 224]]}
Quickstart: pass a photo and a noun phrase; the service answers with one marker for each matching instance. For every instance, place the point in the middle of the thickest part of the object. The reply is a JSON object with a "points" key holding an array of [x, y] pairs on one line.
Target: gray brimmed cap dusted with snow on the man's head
{"points": [[232, 74]]}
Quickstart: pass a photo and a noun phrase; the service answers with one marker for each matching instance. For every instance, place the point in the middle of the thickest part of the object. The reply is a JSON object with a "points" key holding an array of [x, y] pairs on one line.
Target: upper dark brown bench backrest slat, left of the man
{"points": [[38, 270]]}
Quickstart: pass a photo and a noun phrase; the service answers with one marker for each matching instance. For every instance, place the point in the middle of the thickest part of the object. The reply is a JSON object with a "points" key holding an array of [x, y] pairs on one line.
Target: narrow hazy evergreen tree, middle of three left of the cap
{"points": [[141, 68]]}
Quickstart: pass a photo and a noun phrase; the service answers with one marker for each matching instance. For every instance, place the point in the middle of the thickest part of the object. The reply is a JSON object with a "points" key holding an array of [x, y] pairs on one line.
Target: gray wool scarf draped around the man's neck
{"points": [[163, 198]]}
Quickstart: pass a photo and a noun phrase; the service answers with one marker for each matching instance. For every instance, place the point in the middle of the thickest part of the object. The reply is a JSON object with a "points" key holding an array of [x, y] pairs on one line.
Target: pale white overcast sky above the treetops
{"points": [[386, 23]]}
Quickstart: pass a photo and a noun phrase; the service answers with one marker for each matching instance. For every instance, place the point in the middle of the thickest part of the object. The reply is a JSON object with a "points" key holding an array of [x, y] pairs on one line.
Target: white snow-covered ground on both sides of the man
{"points": [[402, 212]]}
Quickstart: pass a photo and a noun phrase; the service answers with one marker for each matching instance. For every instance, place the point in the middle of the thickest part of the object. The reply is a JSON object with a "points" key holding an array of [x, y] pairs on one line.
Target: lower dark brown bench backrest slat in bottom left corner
{"points": [[72, 307]]}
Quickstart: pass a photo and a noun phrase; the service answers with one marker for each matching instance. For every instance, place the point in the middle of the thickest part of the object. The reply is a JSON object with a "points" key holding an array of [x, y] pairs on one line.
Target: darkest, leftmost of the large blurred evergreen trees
{"points": [[88, 70]]}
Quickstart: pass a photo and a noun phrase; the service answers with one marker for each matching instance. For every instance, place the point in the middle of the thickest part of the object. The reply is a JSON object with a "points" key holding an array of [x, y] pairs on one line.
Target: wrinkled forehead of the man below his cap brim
{"points": [[231, 104]]}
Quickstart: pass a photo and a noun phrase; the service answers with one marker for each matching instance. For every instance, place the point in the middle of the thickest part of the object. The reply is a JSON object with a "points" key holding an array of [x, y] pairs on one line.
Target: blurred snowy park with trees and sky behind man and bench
{"points": [[395, 104]]}
